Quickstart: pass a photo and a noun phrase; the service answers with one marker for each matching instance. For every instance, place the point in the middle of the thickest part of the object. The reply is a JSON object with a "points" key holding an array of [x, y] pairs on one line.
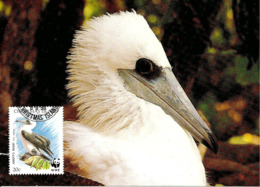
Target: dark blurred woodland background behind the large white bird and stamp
{"points": [[213, 46]]}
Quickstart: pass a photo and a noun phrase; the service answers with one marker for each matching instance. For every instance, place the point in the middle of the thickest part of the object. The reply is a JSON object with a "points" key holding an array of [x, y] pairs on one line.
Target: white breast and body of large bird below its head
{"points": [[156, 154]]}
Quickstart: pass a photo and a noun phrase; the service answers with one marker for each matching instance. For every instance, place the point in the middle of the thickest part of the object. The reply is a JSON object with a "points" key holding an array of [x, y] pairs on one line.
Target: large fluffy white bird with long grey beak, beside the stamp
{"points": [[135, 123]]}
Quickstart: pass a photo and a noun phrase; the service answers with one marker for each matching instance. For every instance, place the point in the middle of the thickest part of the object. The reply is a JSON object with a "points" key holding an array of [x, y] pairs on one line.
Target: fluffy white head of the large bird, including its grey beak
{"points": [[118, 63]]}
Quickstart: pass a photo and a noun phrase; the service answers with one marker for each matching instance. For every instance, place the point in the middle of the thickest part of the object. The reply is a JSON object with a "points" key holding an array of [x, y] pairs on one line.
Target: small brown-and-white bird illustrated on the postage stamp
{"points": [[32, 142]]}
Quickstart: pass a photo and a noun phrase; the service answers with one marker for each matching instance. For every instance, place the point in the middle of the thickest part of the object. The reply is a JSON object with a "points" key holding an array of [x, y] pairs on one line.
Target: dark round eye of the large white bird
{"points": [[147, 68]]}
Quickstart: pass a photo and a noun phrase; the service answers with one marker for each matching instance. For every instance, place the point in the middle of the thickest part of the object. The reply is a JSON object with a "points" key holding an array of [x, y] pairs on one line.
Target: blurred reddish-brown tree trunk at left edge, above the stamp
{"points": [[18, 55]]}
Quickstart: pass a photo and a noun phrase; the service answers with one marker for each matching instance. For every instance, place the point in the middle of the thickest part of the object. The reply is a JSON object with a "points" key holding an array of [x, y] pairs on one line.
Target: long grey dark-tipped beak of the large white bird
{"points": [[166, 92]]}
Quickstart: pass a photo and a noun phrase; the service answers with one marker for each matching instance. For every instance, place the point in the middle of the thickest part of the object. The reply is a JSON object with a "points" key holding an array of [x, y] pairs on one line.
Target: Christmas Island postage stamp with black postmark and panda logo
{"points": [[36, 140]]}
